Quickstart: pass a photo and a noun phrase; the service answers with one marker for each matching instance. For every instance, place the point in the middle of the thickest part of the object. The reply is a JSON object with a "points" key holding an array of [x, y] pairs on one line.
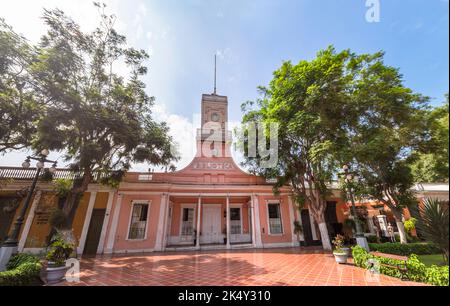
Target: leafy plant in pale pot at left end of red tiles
{"points": [[59, 251]]}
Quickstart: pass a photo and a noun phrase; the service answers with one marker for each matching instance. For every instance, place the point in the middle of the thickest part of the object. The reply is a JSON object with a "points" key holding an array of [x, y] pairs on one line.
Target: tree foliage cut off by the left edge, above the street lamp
{"points": [[19, 106]]}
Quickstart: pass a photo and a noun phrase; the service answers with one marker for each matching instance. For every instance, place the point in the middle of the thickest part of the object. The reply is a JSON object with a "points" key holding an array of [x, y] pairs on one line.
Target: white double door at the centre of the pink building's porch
{"points": [[211, 224]]}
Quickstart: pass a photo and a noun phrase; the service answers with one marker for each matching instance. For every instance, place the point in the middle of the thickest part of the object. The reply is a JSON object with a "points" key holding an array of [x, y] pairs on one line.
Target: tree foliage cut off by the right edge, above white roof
{"points": [[432, 164]]}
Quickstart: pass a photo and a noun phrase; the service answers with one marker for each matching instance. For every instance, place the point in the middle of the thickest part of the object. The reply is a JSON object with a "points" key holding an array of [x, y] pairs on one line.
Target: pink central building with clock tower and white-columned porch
{"points": [[209, 204]]}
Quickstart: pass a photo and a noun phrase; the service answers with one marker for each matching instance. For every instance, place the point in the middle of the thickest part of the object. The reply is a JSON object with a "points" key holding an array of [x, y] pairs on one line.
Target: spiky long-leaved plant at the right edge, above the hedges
{"points": [[433, 224]]}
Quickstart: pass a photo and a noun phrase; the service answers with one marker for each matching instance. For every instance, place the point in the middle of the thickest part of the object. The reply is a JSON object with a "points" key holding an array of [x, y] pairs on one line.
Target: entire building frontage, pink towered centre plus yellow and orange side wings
{"points": [[210, 204]]}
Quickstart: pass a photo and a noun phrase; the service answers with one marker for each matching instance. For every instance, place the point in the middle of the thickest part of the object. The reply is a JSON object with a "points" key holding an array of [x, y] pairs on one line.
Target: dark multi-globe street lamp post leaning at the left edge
{"points": [[10, 246]]}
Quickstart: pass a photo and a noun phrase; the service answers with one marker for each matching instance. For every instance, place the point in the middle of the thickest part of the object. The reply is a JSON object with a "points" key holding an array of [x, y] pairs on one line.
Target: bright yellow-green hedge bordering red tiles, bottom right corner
{"points": [[417, 271]]}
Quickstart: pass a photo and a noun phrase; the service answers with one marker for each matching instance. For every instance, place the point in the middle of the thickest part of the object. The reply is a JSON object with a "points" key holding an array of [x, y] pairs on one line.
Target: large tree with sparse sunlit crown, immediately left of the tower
{"points": [[99, 119]]}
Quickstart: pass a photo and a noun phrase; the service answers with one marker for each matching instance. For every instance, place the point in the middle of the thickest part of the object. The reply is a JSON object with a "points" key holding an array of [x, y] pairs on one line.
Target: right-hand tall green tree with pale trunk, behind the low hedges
{"points": [[385, 130]]}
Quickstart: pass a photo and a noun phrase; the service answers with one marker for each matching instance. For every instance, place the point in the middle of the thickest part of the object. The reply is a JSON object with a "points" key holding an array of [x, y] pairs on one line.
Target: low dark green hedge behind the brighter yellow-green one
{"points": [[405, 249]]}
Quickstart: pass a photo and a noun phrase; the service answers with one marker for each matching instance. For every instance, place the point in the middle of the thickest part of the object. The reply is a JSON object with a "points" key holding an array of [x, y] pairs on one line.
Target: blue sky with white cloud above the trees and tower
{"points": [[252, 38]]}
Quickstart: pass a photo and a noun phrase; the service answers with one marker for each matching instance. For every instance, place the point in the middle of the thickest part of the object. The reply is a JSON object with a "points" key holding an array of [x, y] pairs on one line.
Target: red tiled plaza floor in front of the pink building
{"points": [[279, 267]]}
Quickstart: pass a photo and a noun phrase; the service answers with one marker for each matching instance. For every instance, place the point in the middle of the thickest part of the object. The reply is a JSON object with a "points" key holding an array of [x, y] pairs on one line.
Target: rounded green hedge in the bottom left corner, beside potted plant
{"points": [[22, 270]]}
